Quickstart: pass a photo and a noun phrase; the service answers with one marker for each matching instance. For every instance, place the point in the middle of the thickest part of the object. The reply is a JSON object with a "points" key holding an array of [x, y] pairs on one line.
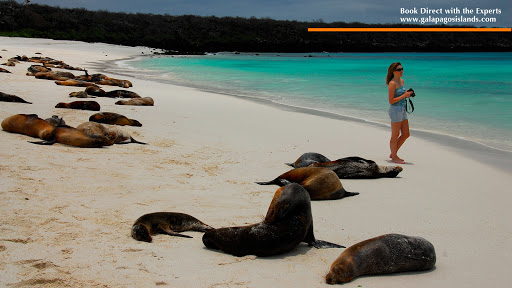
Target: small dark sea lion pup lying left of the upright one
{"points": [[166, 223]]}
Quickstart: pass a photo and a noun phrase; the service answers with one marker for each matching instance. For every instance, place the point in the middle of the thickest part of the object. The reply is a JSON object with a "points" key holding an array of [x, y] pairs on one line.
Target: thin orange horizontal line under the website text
{"points": [[409, 29]]}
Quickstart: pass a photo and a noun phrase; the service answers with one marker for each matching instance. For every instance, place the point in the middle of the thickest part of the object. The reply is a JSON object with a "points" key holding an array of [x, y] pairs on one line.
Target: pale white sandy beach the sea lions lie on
{"points": [[66, 213]]}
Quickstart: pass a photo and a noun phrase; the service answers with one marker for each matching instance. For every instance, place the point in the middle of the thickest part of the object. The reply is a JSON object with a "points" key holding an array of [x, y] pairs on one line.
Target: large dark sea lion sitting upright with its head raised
{"points": [[288, 222]]}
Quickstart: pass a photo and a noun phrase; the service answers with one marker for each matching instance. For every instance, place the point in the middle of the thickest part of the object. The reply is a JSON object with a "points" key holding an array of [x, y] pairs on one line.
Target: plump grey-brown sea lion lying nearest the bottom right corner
{"points": [[390, 253]]}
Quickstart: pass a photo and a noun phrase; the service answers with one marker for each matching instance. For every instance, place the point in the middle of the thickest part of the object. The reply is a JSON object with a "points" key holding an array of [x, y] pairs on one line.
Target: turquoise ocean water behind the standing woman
{"points": [[465, 95]]}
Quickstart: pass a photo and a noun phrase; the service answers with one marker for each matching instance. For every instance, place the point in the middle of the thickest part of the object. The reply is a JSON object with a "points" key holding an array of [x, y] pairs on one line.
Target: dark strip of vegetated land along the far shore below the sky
{"points": [[195, 34]]}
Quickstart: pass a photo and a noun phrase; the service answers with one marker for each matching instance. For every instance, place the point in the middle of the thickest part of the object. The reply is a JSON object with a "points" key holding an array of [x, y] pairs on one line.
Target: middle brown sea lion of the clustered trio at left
{"points": [[71, 136]]}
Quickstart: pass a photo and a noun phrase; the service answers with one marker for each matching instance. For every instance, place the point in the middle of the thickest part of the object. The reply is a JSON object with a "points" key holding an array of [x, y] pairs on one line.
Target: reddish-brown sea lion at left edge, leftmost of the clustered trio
{"points": [[28, 124]]}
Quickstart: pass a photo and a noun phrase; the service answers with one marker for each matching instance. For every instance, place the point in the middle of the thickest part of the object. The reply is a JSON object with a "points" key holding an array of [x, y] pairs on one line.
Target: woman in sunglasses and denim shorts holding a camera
{"points": [[397, 111]]}
